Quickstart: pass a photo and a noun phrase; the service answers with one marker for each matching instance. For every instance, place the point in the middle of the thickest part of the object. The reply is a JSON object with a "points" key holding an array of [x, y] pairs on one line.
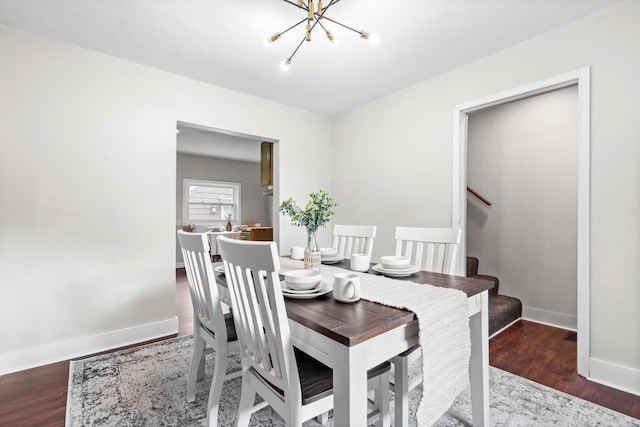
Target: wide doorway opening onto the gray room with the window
{"points": [[218, 159]]}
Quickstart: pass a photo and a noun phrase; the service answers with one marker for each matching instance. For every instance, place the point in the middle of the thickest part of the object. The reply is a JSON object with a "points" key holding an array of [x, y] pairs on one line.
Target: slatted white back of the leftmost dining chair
{"points": [[202, 282]]}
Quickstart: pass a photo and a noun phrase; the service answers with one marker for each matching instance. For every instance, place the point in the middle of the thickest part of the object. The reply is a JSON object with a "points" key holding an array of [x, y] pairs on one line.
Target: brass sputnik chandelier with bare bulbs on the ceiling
{"points": [[315, 15]]}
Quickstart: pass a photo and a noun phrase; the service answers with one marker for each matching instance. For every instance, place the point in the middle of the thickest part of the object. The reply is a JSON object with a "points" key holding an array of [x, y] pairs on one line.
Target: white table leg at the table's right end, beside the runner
{"points": [[479, 363]]}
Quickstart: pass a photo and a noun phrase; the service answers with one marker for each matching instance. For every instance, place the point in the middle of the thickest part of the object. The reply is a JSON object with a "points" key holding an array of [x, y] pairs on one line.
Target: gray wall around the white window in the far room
{"points": [[254, 206]]}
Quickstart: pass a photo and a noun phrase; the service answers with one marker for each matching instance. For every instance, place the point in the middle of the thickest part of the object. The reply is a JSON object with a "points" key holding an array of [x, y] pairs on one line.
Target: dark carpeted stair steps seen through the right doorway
{"points": [[502, 309]]}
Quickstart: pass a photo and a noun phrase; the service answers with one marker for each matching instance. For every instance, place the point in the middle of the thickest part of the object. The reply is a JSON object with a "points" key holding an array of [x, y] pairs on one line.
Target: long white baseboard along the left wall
{"points": [[63, 350]]}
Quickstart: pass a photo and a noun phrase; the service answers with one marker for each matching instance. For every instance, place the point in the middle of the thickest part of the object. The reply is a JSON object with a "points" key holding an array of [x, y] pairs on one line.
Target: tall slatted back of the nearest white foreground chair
{"points": [[251, 270]]}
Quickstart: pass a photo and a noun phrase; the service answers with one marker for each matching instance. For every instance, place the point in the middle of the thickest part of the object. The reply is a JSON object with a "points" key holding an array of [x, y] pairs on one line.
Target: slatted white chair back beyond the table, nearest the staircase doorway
{"points": [[430, 249]]}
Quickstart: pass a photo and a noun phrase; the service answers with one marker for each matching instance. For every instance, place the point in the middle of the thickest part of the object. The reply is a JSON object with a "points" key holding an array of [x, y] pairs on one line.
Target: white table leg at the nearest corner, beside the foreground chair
{"points": [[350, 388]]}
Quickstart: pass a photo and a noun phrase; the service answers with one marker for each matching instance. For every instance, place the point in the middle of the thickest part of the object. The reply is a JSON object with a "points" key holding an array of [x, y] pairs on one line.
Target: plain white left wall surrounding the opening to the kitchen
{"points": [[86, 263]]}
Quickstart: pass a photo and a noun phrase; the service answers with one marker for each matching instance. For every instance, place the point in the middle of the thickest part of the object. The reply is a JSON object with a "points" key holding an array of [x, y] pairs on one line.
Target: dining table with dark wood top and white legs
{"points": [[351, 338]]}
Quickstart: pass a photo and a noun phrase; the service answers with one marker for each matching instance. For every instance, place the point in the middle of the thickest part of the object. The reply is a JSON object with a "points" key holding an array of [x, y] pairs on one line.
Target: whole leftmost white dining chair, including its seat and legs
{"points": [[213, 330]]}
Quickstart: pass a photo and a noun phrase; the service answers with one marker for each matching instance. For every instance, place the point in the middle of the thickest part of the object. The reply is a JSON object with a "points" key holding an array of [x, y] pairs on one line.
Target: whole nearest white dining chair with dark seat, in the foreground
{"points": [[294, 384]]}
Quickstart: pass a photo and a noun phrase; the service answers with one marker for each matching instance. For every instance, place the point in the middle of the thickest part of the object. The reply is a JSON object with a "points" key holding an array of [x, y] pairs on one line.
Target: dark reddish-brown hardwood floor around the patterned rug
{"points": [[38, 396]]}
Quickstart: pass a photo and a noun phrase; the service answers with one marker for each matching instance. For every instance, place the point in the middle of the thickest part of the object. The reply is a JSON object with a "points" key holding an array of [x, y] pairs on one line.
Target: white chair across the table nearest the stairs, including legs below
{"points": [[430, 249]]}
